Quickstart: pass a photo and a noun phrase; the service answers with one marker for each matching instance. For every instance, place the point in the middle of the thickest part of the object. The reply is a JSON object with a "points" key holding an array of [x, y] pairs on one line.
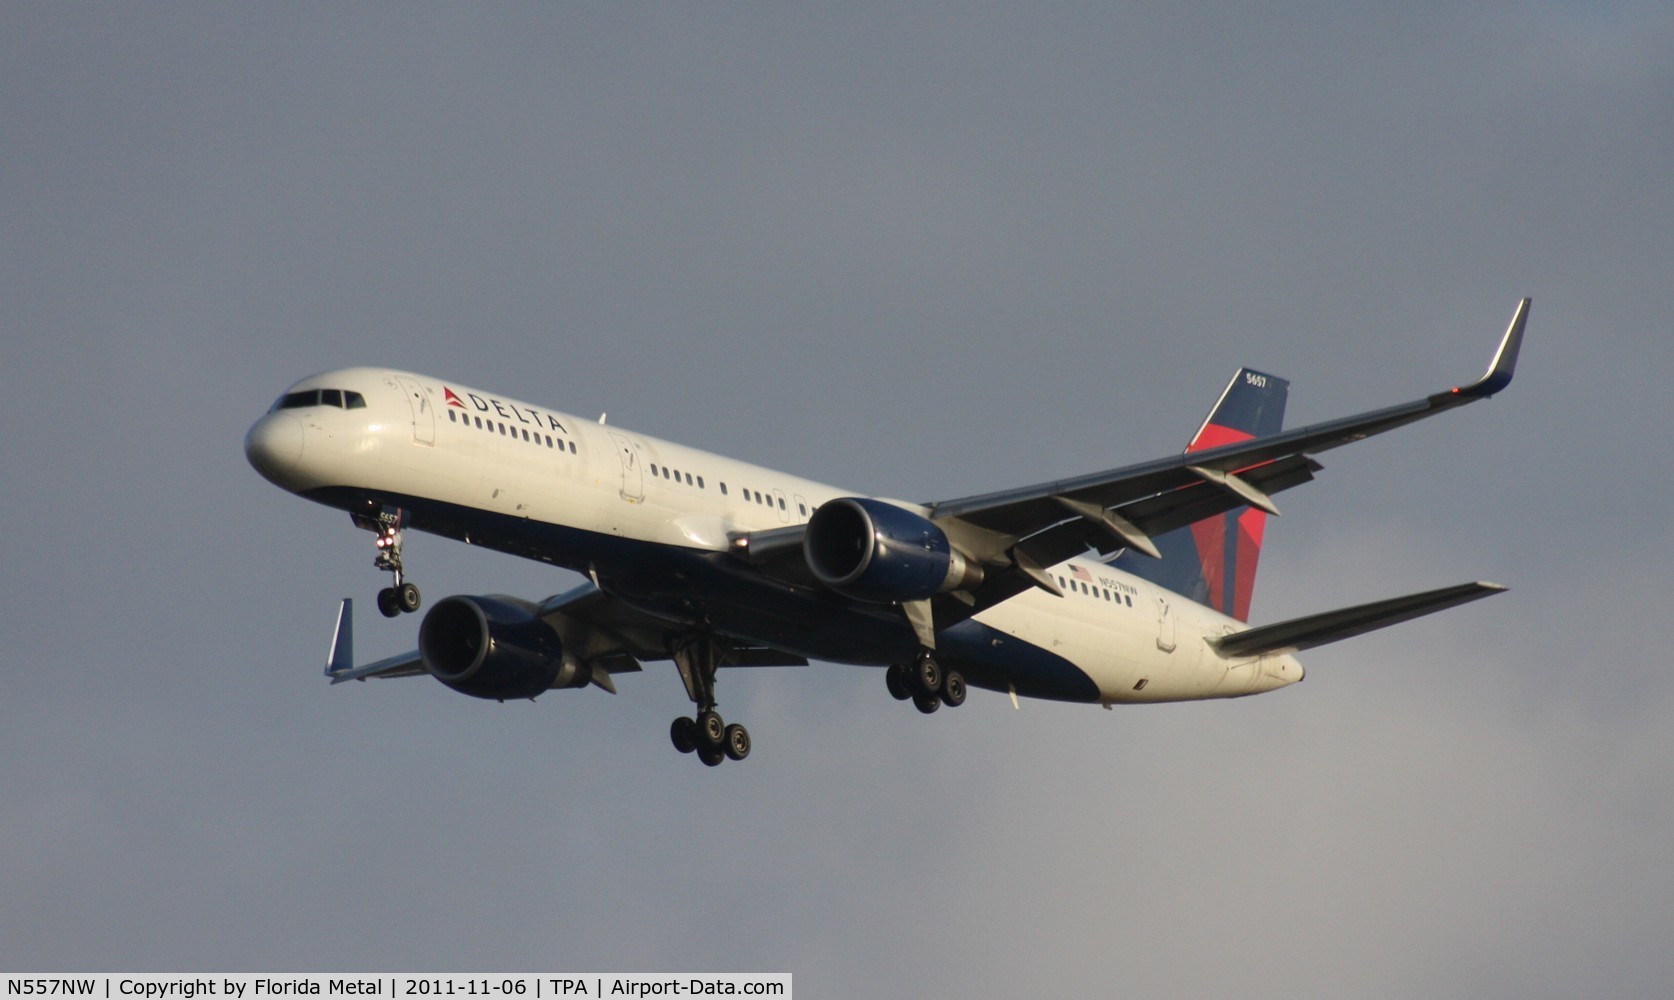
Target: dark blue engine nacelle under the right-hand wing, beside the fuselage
{"points": [[876, 552]]}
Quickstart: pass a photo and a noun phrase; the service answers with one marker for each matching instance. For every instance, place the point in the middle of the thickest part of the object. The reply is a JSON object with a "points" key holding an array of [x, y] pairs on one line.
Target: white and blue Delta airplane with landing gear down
{"points": [[1129, 585]]}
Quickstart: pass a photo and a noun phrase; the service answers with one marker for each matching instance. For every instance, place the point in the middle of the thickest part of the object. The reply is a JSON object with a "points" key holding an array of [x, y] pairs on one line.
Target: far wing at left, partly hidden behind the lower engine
{"points": [[598, 629]]}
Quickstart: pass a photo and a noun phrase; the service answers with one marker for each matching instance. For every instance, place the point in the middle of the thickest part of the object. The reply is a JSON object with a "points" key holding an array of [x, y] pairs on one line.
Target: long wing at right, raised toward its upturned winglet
{"points": [[1131, 505]]}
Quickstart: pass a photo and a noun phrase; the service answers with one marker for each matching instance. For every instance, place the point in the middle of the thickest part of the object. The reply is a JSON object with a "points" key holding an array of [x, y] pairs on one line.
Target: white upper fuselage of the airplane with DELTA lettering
{"points": [[475, 453]]}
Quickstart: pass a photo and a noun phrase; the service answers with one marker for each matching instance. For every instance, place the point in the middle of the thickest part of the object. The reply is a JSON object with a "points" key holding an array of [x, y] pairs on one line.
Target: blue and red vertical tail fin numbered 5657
{"points": [[1214, 560]]}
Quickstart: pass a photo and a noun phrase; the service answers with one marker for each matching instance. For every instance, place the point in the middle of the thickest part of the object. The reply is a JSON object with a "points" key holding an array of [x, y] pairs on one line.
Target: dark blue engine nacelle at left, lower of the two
{"points": [[496, 649]]}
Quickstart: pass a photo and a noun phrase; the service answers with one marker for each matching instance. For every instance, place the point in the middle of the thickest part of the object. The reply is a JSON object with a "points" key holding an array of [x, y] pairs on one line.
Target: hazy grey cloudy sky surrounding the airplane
{"points": [[920, 252]]}
